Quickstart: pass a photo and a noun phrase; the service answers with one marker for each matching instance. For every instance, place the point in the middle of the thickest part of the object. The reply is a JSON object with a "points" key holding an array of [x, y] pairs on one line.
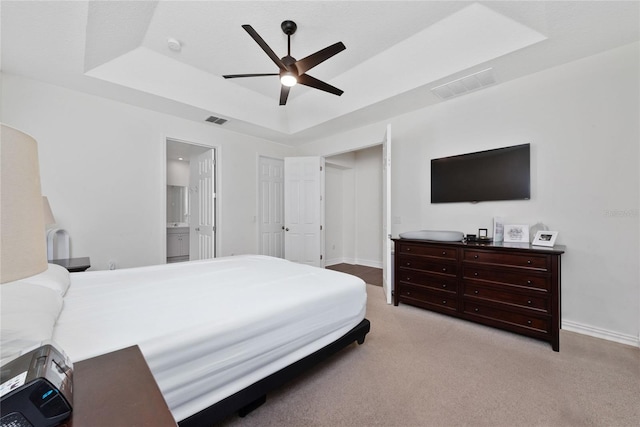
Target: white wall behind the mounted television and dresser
{"points": [[582, 120]]}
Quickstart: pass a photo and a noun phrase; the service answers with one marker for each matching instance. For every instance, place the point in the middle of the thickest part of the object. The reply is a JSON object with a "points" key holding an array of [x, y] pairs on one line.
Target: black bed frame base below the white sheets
{"points": [[253, 396]]}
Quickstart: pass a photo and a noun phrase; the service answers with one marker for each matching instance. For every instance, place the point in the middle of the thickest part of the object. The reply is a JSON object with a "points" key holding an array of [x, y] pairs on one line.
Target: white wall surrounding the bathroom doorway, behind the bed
{"points": [[102, 166]]}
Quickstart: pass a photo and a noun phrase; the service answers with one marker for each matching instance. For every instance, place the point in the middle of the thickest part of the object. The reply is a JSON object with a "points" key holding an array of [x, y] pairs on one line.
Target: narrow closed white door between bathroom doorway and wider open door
{"points": [[271, 206]]}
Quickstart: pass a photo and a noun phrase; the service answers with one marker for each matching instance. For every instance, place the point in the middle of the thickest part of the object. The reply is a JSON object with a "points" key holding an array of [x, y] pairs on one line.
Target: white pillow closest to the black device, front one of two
{"points": [[28, 313]]}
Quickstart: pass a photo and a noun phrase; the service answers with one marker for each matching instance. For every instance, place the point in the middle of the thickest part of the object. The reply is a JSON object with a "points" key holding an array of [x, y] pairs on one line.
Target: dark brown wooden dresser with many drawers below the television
{"points": [[508, 286]]}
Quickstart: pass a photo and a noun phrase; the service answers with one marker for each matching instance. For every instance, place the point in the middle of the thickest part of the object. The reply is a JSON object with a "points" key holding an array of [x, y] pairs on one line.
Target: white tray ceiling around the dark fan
{"points": [[396, 52]]}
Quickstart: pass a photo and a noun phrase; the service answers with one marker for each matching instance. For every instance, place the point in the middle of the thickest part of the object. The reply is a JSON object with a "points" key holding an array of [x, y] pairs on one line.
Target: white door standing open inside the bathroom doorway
{"points": [[203, 217]]}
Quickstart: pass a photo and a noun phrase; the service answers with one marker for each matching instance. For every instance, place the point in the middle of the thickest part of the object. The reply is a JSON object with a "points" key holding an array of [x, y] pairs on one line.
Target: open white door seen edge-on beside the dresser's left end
{"points": [[387, 267]]}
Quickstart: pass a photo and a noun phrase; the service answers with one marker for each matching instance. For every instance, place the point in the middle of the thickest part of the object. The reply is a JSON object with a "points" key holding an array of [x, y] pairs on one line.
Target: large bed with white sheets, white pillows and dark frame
{"points": [[216, 334]]}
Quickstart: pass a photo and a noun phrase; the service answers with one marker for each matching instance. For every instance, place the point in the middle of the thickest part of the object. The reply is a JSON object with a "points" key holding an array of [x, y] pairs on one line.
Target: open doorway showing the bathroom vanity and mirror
{"points": [[191, 201]]}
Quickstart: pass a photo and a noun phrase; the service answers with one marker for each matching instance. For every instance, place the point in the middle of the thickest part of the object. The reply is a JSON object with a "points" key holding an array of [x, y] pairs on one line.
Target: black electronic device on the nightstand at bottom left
{"points": [[36, 389]]}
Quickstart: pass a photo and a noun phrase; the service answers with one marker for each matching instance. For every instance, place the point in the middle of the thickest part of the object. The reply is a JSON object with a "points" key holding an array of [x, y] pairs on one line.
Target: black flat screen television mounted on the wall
{"points": [[499, 174]]}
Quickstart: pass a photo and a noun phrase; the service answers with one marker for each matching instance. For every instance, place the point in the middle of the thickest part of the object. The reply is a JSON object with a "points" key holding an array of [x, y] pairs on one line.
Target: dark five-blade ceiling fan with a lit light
{"points": [[293, 71]]}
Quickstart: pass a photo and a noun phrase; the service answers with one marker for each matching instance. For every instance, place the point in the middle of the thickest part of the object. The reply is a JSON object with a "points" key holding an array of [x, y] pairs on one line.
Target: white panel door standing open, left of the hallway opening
{"points": [[304, 210]]}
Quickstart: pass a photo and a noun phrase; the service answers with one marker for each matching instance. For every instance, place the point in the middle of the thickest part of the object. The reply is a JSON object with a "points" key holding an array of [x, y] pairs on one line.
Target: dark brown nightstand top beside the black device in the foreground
{"points": [[117, 389]]}
